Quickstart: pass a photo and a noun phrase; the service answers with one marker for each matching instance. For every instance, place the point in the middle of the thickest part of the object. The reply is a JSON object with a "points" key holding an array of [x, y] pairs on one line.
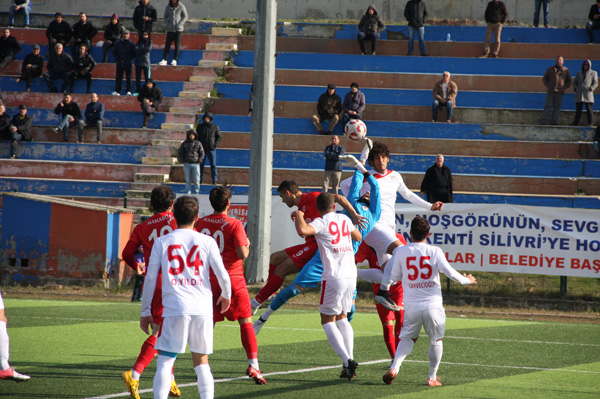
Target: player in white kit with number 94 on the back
{"points": [[334, 233]]}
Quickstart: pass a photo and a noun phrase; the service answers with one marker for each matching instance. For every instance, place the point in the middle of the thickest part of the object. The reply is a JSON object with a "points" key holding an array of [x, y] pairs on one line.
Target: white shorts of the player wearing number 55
{"points": [[432, 320]]}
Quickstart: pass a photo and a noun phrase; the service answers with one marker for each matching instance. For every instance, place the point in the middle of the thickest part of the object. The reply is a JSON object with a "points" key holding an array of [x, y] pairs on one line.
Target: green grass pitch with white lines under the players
{"points": [[79, 350]]}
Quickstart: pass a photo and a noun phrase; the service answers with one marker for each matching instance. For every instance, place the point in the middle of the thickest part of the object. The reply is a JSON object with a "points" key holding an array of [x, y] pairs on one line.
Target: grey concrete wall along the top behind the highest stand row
{"points": [[562, 12]]}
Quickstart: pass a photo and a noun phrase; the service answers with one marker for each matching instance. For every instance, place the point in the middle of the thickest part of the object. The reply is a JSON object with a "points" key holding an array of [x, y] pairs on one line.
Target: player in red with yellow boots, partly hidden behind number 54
{"points": [[145, 234]]}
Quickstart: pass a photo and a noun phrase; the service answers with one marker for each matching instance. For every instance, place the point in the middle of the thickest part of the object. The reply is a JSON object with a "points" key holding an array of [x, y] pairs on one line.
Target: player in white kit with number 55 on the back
{"points": [[418, 265]]}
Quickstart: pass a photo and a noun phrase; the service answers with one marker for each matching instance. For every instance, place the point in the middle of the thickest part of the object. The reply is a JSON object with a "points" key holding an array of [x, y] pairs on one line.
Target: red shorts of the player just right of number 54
{"points": [[240, 300]]}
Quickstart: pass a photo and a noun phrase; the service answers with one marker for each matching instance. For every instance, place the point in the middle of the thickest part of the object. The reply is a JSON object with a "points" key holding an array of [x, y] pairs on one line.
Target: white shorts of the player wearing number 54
{"points": [[177, 331]]}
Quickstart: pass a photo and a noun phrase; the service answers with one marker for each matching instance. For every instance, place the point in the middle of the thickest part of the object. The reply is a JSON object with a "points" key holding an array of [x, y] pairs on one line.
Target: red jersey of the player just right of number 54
{"points": [[229, 234]]}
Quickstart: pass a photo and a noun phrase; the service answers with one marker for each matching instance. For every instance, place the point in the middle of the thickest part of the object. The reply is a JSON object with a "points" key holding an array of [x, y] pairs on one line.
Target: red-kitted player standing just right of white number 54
{"points": [[234, 246]]}
